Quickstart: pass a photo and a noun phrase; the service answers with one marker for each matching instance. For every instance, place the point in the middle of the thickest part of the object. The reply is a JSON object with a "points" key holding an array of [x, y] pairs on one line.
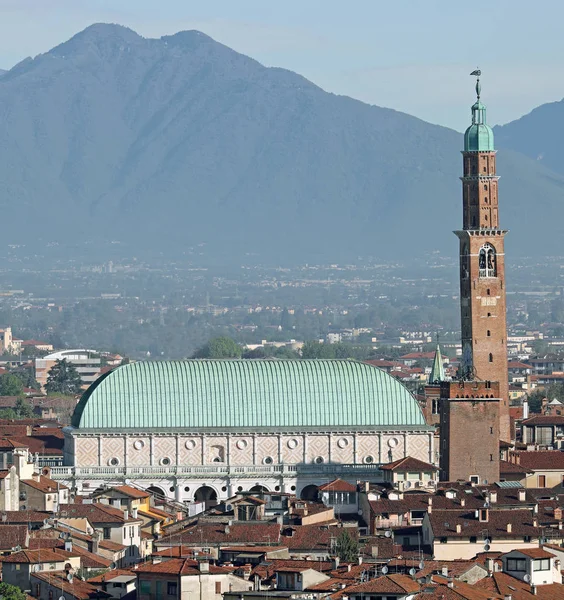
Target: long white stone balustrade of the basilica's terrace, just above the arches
{"points": [[197, 472]]}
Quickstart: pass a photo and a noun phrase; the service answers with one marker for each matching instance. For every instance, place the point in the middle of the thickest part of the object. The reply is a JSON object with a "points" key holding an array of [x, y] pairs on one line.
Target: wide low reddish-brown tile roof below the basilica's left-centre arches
{"points": [[204, 534]]}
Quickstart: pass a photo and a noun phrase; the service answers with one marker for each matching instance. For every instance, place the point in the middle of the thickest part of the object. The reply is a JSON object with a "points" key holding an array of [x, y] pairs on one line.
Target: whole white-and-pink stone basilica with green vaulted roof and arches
{"points": [[203, 430]]}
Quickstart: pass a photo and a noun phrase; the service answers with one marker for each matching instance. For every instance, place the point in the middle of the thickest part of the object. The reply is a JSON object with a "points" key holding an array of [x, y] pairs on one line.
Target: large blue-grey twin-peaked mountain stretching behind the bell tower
{"points": [[180, 144]]}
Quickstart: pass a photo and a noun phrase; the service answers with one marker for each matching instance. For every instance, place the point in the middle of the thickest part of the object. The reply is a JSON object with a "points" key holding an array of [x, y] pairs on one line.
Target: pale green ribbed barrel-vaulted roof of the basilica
{"points": [[221, 394]]}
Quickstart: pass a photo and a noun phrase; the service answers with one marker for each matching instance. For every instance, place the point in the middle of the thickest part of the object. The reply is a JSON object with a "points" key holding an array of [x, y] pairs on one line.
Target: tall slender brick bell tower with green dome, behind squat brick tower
{"points": [[482, 264]]}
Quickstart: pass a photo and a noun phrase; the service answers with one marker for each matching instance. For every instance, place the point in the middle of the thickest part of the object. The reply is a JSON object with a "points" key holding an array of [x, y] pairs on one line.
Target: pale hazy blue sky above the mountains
{"points": [[411, 55]]}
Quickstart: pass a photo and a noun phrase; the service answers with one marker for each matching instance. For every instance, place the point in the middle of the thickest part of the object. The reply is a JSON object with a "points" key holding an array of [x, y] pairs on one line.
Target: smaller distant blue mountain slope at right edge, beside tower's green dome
{"points": [[537, 135]]}
